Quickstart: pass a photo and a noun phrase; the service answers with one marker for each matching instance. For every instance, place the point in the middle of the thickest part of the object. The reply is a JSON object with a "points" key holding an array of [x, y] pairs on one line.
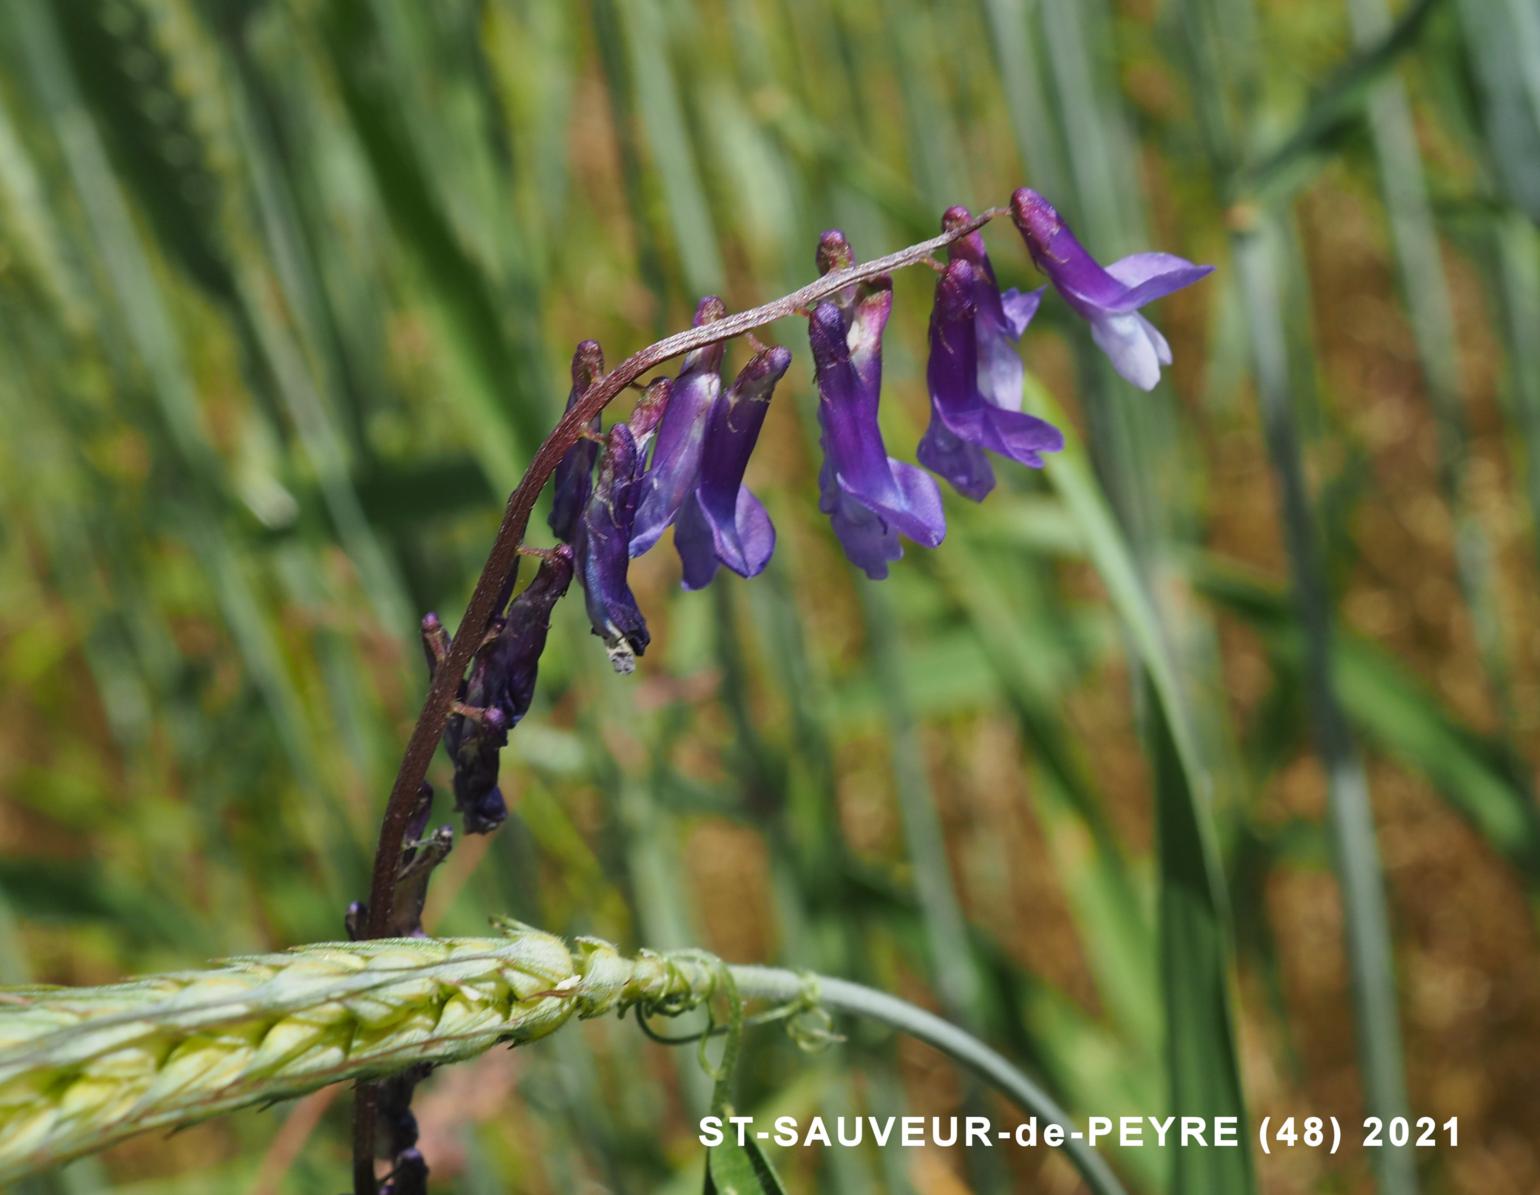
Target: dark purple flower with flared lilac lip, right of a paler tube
{"points": [[721, 521]]}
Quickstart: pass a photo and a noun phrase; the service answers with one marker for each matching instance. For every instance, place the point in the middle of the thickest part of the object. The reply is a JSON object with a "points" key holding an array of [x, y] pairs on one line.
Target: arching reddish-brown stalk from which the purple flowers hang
{"points": [[504, 557]]}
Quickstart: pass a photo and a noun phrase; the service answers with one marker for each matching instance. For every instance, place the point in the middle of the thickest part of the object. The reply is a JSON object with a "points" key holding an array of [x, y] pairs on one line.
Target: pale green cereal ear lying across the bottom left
{"points": [[84, 1068]]}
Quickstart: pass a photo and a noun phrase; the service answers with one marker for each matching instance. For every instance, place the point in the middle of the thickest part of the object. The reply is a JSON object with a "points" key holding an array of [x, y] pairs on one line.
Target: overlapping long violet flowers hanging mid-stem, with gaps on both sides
{"points": [[871, 498]]}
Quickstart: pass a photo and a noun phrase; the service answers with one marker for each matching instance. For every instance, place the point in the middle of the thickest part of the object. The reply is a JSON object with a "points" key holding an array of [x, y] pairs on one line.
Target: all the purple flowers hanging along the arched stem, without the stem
{"points": [[678, 461]]}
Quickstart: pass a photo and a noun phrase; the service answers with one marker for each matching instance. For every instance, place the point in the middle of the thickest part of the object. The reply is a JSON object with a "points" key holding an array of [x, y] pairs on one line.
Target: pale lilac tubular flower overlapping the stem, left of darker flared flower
{"points": [[681, 435]]}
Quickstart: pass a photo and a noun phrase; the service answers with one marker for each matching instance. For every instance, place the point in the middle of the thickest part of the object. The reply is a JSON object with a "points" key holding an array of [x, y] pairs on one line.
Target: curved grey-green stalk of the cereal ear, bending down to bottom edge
{"points": [[774, 985]]}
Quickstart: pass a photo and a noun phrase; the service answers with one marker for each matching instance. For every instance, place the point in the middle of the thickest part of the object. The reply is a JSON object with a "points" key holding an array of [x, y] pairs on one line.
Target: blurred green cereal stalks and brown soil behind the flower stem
{"points": [[287, 295]]}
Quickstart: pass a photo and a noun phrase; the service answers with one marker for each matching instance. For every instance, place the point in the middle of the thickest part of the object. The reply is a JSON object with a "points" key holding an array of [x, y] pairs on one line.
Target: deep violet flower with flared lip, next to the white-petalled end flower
{"points": [[963, 420]]}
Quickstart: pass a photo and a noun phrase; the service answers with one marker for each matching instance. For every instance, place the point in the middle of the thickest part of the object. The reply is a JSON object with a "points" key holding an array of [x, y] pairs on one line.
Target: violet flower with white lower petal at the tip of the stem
{"points": [[1108, 298]]}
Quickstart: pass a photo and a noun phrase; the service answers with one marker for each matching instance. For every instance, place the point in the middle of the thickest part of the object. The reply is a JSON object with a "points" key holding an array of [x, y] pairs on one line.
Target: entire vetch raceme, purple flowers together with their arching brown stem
{"points": [[680, 461]]}
